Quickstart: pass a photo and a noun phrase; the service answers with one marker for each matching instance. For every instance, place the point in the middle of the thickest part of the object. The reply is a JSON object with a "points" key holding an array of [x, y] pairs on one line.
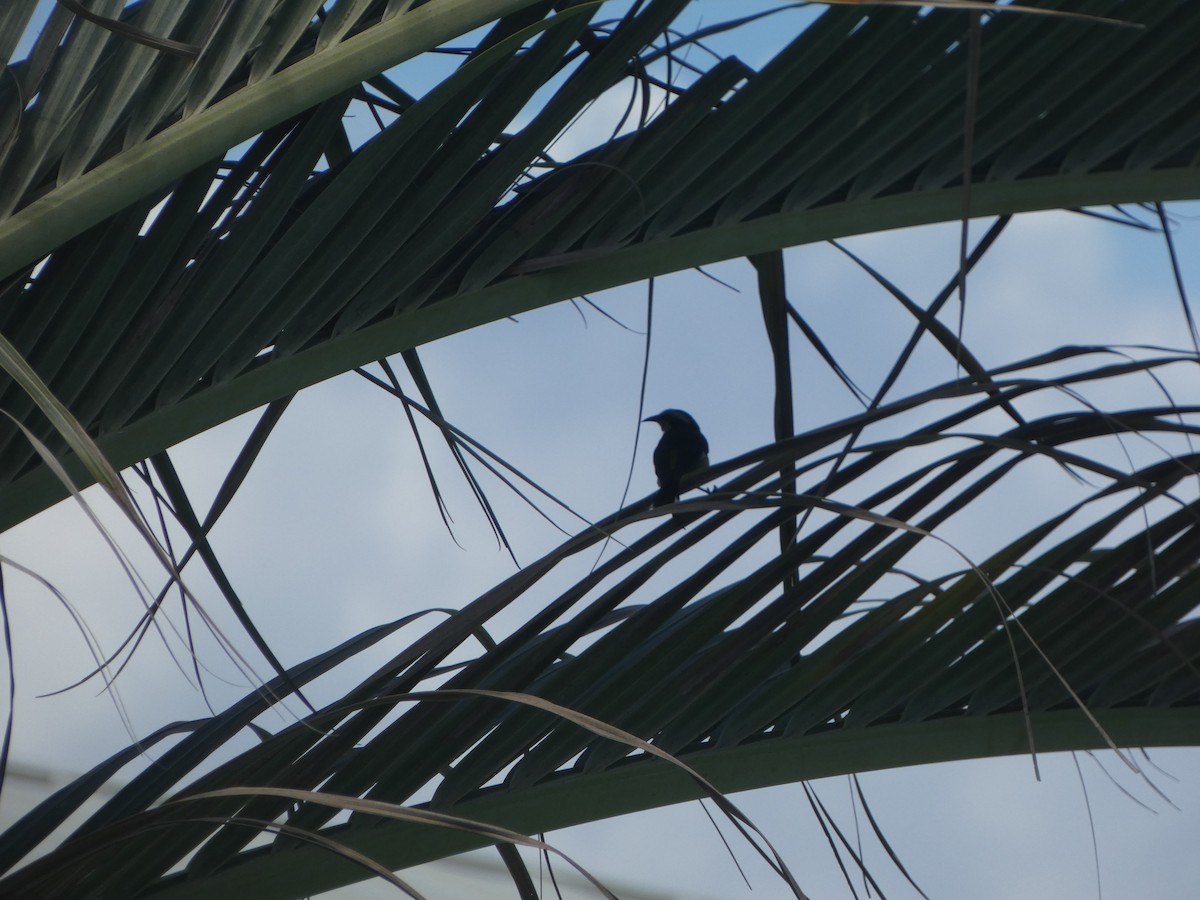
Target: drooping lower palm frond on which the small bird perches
{"points": [[734, 663]]}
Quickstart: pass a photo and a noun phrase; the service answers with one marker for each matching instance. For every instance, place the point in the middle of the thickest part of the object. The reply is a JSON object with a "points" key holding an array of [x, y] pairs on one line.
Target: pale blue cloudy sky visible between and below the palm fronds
{"points": [[337, 531]]}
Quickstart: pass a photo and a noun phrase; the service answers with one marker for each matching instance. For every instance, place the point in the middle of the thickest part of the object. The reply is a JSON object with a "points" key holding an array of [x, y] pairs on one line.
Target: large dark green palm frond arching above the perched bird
{"points": [[855, 127]]}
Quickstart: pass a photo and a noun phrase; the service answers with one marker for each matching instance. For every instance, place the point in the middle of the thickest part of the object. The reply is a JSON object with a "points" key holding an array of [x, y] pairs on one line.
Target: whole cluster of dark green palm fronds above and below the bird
{"points": [[155, 283]]}
